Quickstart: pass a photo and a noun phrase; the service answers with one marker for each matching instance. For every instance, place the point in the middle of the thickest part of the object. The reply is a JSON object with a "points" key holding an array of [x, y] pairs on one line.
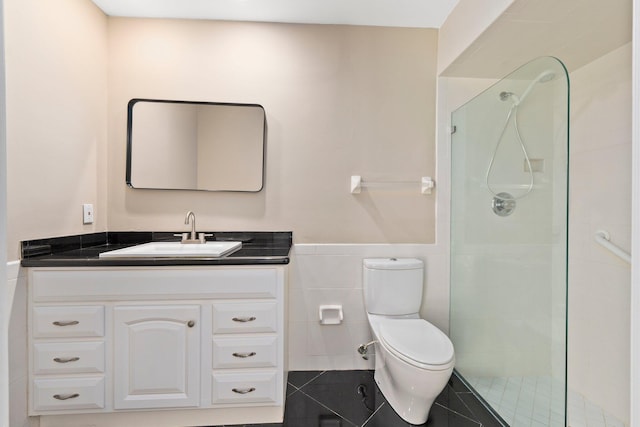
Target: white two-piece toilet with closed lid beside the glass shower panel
{"points": [[414, 359]]}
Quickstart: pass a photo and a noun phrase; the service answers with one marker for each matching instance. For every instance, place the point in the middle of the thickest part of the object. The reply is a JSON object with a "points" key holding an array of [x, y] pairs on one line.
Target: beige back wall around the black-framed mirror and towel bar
{"points": [[339, 101]]}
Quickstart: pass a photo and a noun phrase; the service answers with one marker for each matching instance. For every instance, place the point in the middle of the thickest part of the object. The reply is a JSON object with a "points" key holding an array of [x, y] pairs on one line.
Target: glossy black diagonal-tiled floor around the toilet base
{"points": [[352, 399]]}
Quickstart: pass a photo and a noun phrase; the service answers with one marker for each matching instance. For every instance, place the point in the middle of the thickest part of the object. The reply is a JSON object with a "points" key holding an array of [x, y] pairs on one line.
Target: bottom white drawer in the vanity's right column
{"points": [[237, 388]]}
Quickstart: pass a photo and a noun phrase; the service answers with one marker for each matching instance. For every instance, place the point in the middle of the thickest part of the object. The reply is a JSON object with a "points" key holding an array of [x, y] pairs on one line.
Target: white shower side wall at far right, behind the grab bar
{"points": [[600, 198]]}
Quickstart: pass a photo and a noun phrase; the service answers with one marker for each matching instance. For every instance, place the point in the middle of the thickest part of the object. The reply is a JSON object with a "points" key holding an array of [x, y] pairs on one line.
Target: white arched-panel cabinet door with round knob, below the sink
{"points": [[156, 356]]}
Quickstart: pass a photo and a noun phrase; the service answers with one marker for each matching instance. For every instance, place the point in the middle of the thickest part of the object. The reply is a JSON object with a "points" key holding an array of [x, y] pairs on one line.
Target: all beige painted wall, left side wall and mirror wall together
{"points": [[340, 101]]}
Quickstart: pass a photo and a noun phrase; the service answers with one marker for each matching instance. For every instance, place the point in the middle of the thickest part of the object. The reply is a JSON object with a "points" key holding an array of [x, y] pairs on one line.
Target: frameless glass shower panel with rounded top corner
{"points": [[509, 151]]}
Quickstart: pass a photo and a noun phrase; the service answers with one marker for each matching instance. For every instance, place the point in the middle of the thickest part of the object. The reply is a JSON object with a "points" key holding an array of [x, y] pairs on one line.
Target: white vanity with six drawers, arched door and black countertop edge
{"points": [[163, 342]]}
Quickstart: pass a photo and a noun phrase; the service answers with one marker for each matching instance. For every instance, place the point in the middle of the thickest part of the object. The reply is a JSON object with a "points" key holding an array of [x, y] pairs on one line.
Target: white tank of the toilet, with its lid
{"points": [[392, 286]]}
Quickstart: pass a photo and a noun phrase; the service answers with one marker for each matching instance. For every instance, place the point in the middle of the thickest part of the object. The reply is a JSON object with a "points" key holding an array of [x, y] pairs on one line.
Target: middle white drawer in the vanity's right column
{"points": [[256, 352]]}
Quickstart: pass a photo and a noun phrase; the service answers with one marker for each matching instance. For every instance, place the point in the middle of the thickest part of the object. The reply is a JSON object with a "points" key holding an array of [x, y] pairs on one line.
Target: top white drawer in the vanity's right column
{"points": [[234, 318]]}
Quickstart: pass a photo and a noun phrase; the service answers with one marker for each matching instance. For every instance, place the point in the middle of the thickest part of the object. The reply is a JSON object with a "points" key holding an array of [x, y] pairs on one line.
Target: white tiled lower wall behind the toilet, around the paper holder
{"points": [[332, 274]]}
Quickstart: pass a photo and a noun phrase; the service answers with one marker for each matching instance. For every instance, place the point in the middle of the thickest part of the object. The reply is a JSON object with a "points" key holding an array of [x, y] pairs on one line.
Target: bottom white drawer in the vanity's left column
{"points": [[68, 394]]}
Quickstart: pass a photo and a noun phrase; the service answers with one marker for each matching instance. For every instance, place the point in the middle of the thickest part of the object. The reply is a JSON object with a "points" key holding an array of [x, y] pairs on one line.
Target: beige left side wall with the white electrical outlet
{"points": [[56, 118]]}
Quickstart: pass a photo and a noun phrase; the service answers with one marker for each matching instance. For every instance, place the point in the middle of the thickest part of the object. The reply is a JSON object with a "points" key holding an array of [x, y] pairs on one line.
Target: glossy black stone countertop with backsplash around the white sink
{"points": [[260, 247]]}
